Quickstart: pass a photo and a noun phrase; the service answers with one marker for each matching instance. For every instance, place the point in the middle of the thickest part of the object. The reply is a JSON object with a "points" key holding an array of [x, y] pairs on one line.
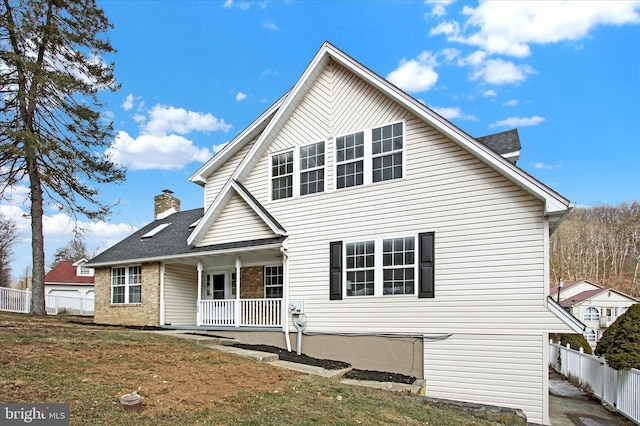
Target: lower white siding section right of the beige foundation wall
{"points": [[489, 376]]}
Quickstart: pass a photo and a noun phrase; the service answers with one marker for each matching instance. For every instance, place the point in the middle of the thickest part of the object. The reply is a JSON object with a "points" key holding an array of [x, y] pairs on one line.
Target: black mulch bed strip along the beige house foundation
{"points": [[376, 376]]}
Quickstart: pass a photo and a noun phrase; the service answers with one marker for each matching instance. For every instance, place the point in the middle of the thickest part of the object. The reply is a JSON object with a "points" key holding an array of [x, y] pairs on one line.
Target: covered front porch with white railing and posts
{"points": [[233, 288]]}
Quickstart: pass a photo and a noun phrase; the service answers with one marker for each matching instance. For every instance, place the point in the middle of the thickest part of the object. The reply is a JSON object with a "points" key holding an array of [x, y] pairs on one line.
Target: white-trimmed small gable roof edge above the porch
{"points": [[221, 201]]}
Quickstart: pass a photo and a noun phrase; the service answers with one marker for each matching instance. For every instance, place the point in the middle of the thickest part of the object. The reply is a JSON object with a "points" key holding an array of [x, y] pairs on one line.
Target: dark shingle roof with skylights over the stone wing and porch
{"points": [[171, 241]]}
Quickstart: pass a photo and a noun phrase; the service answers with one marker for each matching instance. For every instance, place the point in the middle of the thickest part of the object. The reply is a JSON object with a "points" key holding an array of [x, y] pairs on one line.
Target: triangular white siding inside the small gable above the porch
{"points": [[237, 222]]}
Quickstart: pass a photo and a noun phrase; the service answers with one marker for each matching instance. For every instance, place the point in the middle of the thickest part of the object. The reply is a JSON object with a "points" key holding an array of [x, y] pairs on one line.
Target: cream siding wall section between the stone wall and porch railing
{"points": [[180, 295]]}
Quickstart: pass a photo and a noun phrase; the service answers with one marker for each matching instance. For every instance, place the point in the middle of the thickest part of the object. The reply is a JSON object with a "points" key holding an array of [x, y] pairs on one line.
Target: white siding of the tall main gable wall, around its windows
{"points": [[490, 239]]}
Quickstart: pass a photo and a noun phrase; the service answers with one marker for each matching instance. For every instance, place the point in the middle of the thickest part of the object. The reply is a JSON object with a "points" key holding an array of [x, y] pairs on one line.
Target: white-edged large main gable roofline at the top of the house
{"points": [[268, 125]]}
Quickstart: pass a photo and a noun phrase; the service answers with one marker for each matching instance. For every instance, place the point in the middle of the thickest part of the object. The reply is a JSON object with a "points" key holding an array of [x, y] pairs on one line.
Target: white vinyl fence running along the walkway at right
{"points": [[618, 389]]}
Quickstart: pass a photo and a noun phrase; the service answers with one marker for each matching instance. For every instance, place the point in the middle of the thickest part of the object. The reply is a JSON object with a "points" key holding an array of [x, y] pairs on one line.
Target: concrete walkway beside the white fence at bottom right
{"points": [[569, 406]]}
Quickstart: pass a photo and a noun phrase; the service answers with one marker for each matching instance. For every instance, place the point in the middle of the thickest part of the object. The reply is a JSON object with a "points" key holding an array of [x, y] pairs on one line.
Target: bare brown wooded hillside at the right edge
{"points": [[601, 244]]}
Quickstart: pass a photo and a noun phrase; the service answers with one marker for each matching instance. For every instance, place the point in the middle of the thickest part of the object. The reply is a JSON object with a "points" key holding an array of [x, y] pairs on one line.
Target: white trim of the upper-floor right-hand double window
{"points": [[368, 156]]}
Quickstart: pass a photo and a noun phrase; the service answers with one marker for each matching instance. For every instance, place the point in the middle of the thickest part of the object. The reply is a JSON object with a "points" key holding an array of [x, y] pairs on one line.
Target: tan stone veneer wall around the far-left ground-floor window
{"points": [[146, 313]]}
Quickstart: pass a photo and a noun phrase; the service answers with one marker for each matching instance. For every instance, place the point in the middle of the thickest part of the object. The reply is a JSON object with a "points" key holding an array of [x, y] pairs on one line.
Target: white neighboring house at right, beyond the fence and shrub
{"points": [[595, 305]]}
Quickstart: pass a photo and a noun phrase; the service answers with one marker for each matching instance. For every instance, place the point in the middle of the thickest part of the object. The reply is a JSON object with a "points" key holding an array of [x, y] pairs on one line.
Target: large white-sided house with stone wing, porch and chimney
{"points": [[401, 242]]}
